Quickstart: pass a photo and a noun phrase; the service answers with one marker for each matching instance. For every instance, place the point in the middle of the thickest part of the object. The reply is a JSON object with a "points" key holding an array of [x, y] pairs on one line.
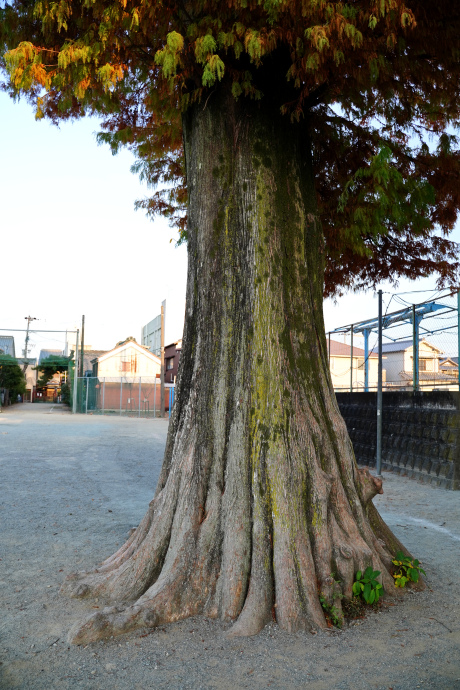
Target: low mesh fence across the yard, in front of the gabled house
{"points": [[128, 396]]}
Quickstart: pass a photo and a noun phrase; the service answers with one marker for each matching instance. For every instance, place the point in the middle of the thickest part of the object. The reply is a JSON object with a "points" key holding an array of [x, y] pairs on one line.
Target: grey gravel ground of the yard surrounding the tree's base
{"points": [[71, 489]]}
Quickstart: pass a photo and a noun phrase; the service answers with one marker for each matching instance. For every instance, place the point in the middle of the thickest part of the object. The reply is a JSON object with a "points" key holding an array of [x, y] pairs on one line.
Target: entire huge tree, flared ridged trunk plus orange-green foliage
{"points": [[312, 145]]}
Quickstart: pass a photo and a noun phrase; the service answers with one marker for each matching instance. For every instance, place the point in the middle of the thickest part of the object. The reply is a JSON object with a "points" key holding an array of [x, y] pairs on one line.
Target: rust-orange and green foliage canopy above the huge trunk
{"points": [[376, 82]]}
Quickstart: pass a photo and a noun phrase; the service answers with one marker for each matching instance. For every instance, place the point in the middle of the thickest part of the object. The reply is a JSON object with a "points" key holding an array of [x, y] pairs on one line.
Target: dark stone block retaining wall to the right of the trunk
{"points": [[420, 433]]}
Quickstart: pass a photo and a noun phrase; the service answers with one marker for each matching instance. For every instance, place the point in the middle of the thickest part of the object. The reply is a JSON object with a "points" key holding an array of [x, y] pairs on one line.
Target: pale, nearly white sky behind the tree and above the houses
{"points": [[72, 244]]}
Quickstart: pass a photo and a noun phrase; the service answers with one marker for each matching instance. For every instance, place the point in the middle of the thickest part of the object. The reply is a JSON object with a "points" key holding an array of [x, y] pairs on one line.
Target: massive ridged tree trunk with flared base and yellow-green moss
{"points": [[260, 505]]}
